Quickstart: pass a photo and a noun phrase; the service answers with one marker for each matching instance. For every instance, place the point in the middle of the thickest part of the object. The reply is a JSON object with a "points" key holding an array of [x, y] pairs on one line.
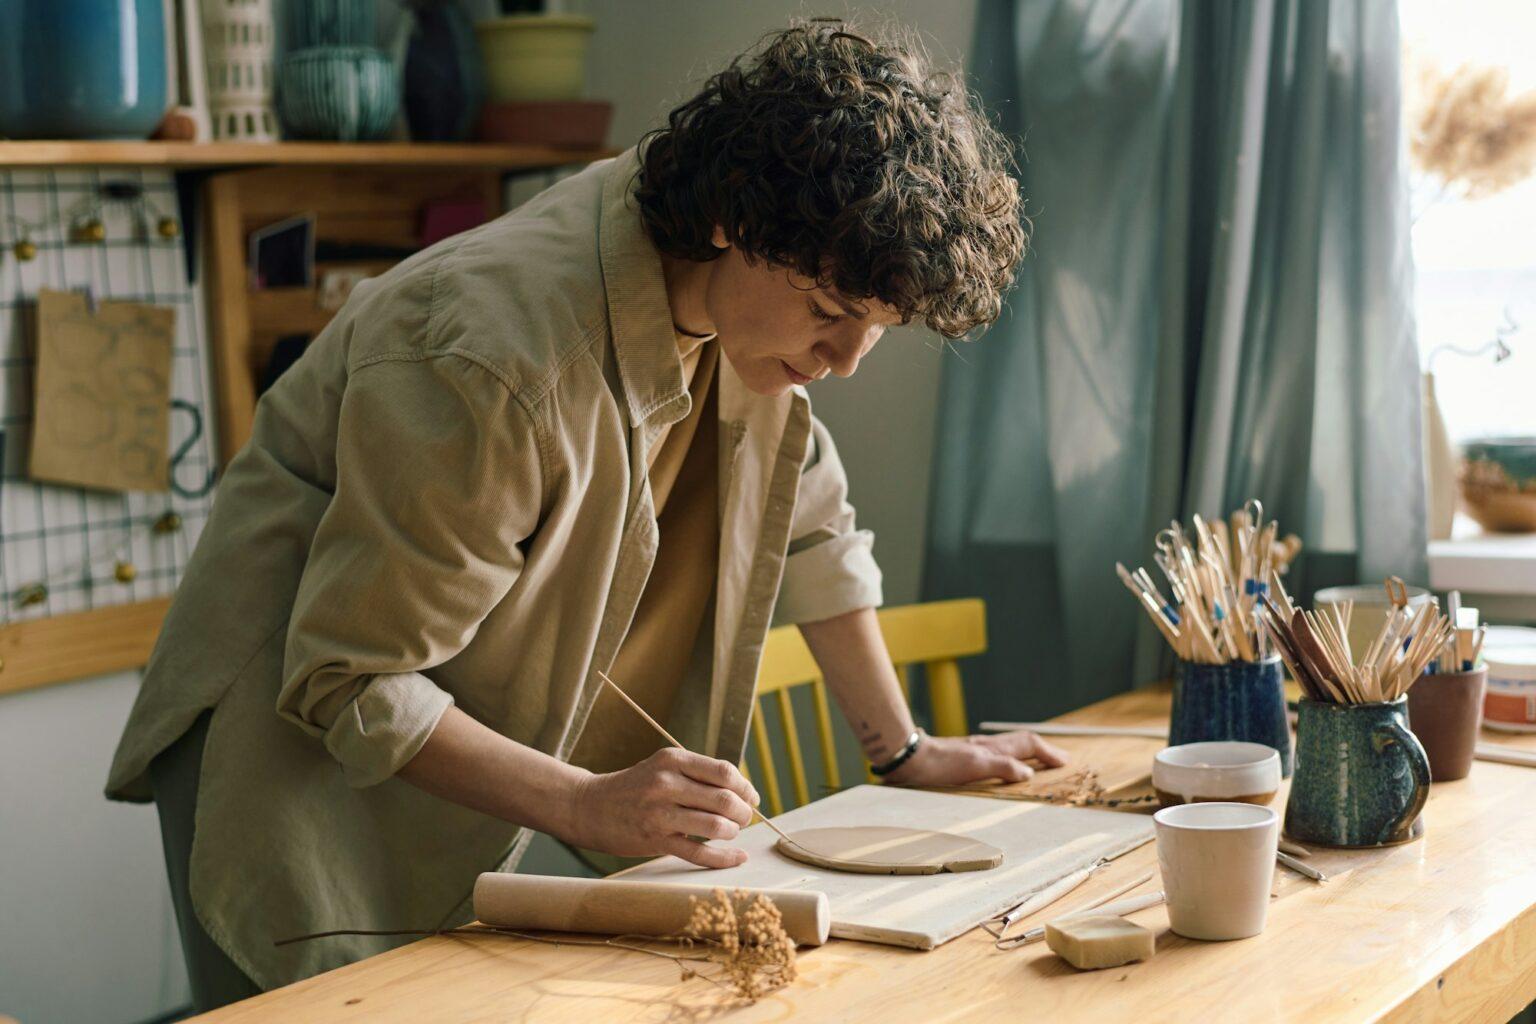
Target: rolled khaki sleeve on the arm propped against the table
{"points": [[830, 569]]}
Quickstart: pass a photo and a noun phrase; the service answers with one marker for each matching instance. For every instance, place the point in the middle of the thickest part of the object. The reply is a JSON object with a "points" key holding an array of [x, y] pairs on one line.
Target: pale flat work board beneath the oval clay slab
{"points": [[1041, 845]]}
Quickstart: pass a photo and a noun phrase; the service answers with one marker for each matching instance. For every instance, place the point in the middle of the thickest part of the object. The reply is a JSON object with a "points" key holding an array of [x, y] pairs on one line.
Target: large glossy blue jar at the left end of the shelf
{"points": [[82, 68]]}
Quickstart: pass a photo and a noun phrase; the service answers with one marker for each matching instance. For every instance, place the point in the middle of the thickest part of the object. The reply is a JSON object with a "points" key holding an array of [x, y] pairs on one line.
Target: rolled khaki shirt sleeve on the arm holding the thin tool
{"points": [[439, 481]]}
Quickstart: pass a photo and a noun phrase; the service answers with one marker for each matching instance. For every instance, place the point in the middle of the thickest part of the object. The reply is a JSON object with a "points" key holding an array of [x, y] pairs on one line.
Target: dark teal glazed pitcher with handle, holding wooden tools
{"points": [[1362, 776]]}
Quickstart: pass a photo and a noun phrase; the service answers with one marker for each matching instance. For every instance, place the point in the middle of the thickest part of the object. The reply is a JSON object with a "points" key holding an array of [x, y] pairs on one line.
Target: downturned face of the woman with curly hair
{"points": [[778, 329]]}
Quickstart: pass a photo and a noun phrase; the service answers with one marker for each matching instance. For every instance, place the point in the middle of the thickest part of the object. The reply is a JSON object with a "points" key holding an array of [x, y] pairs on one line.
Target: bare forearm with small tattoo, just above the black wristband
{"points": [[852, 655]]}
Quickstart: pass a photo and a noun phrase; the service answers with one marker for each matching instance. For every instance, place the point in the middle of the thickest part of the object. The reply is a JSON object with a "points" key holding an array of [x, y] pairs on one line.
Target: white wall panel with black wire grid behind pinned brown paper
{"points": [[73, 540]]}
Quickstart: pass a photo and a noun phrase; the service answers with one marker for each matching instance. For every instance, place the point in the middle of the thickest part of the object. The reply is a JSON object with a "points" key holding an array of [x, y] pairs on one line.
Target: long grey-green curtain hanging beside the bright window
{"points": [[1217, 306]]}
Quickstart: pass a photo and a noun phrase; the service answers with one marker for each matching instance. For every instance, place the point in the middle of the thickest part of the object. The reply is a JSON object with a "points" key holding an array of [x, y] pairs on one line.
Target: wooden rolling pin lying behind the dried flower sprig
{"points": [[612, 907]]}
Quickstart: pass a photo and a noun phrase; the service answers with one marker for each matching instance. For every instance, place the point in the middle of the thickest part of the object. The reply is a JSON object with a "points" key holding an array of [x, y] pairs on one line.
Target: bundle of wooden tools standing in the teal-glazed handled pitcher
{"points": [[1316, 649]]}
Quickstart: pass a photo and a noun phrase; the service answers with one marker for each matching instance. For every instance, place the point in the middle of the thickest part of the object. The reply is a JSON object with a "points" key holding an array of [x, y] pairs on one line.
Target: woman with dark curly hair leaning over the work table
{"points": [[572, 441]]}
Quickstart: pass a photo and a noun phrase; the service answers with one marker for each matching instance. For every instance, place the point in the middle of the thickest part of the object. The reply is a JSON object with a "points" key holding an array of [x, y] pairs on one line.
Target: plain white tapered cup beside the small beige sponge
{"points": [[1219, 865]]}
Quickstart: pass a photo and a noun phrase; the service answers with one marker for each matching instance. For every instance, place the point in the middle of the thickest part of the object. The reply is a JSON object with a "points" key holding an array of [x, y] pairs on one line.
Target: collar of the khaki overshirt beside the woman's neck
{"points": [[640, 317]]}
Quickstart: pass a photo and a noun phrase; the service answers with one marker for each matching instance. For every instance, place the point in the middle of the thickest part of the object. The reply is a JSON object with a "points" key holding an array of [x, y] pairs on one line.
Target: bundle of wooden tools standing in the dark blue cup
{"points": [[1216, 584]]}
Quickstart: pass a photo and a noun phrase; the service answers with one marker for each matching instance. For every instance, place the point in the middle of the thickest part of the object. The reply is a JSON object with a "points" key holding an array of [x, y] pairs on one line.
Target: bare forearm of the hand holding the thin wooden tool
{"points": [[475, 767]]}
